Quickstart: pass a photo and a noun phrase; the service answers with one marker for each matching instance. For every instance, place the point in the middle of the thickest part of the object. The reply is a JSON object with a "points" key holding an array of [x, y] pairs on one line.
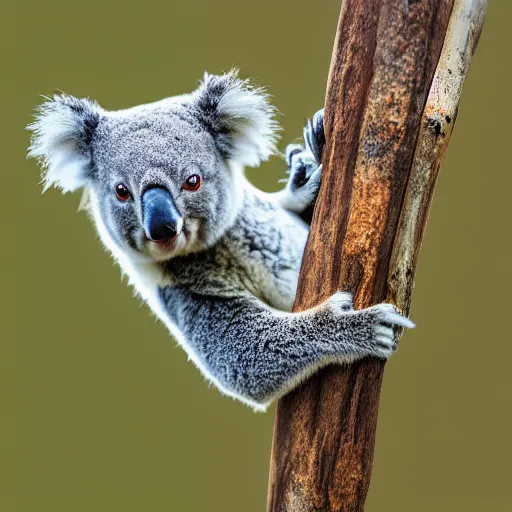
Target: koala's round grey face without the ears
{"points": [[160, 183]]}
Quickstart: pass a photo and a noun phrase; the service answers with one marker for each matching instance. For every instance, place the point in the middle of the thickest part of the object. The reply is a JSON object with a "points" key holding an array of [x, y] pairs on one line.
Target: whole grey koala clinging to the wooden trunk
{"points": [[216, 259]]}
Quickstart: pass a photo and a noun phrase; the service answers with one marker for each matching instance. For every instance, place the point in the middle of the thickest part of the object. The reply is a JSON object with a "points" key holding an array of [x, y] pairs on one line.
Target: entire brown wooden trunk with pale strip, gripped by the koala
{"points": [[368, 224]]}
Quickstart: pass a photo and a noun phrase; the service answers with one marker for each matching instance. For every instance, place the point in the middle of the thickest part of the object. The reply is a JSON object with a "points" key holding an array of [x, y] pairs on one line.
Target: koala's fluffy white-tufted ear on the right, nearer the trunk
{"points": [[239, 117]]}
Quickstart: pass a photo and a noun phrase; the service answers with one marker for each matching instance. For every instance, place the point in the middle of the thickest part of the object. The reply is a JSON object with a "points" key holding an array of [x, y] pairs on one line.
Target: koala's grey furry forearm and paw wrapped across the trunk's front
{"points": [[256, 353]]}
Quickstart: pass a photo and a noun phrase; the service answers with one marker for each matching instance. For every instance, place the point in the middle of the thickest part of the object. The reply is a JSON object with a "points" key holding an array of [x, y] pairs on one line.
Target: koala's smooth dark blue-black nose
{"points": [[162, 220]]}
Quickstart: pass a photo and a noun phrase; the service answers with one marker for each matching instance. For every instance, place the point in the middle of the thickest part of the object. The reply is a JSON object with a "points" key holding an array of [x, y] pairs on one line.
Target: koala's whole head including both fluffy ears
{"points": [[162, 178]]}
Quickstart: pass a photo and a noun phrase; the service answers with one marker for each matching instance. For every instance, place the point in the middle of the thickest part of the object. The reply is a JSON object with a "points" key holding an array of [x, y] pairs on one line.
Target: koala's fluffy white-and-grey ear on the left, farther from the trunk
{"points": [[61, 139]]}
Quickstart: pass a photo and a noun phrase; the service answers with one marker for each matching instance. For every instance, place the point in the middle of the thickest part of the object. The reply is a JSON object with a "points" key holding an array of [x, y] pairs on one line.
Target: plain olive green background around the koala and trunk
{"points": [[99, 409]]}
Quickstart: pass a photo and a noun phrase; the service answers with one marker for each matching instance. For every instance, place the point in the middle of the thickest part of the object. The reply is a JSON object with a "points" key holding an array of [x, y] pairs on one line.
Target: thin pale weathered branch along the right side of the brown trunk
{"points": [[436, 128]]}
